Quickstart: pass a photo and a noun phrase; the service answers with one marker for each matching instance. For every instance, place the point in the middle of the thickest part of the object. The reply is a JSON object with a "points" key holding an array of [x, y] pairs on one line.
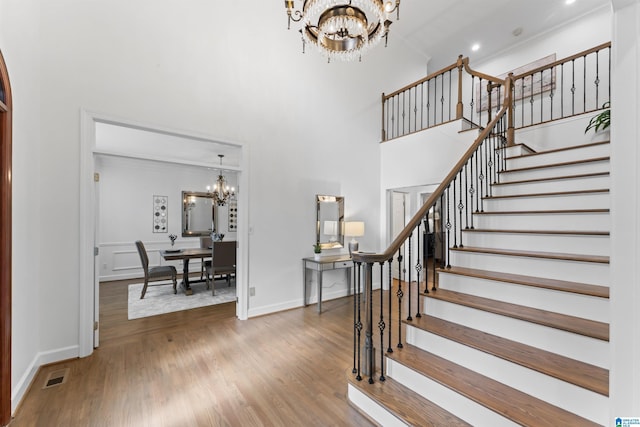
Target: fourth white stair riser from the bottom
{"points": [[585, 349]]}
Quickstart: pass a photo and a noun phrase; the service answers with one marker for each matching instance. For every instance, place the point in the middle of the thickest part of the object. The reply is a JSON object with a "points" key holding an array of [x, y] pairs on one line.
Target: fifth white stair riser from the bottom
{"points": [[587, 307]]}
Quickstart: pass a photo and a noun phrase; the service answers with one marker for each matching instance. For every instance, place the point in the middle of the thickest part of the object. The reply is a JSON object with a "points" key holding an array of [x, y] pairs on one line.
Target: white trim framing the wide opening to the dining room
{"points": [[88, 286]]}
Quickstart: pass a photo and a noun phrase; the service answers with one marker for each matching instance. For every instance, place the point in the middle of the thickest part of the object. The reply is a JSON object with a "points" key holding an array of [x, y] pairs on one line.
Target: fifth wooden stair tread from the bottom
{"points": [[538, 282]]}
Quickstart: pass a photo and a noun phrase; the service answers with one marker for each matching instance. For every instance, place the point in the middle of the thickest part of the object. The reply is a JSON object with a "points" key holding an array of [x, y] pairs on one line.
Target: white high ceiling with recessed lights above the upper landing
{"points": [[434, 29]]}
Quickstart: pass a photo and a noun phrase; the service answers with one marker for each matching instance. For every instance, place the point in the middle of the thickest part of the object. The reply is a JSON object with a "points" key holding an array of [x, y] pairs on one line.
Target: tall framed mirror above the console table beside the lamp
{"points": [[330, 221]]}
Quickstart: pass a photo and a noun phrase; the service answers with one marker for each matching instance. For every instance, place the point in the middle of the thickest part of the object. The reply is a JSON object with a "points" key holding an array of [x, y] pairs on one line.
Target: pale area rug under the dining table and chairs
{"points": [[161, 299]]}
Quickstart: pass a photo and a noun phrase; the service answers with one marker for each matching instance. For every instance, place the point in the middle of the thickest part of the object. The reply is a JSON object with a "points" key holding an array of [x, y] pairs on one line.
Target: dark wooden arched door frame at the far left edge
{"points": [[5, 245]]}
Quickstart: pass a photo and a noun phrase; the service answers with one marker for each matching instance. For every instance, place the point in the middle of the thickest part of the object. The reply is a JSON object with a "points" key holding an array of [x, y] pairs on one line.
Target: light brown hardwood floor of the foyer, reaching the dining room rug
{"points": [[204, 367]]}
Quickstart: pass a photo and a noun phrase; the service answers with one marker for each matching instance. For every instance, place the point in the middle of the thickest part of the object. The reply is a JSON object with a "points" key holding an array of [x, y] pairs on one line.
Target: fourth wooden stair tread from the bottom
{"points": [[577, 325]]}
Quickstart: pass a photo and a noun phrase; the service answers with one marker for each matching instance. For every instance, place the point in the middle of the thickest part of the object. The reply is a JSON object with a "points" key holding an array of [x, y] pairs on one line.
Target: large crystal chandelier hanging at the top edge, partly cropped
{"points": [[343, 29]]}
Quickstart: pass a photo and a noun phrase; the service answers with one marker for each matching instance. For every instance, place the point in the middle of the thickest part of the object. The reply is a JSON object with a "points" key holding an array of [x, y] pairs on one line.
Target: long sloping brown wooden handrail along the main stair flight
{"points": [[415, 220]]}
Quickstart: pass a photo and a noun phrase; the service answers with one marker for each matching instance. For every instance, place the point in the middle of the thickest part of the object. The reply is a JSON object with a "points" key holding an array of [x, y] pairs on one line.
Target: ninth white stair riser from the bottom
{"points": [[570, 201]]}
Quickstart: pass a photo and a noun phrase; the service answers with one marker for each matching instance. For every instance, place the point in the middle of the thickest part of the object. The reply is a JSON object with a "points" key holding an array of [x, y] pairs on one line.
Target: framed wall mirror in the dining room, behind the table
{"points": [[197, 213]]}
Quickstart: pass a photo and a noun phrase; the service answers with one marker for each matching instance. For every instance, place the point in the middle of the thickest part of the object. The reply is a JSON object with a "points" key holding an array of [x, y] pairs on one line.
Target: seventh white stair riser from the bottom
{"points": [[574, 243]]}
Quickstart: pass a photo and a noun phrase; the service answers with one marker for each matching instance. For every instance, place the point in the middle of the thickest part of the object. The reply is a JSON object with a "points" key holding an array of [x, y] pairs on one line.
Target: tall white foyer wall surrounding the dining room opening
{"points": [[309, 127]]}
